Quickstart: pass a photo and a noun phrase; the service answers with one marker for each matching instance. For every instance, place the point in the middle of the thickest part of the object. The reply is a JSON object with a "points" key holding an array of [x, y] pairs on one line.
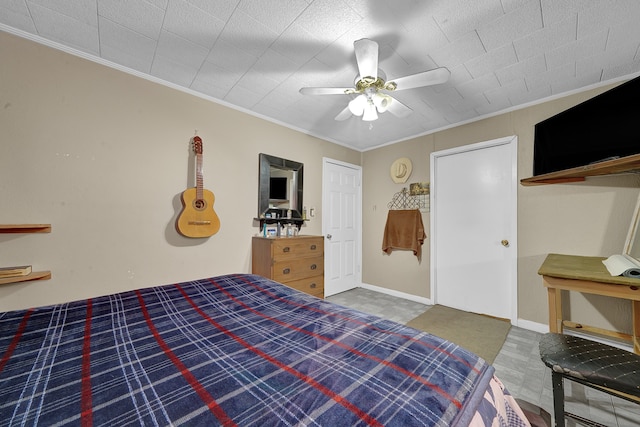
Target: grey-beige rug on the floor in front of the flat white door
{"points": [[483, 335]]}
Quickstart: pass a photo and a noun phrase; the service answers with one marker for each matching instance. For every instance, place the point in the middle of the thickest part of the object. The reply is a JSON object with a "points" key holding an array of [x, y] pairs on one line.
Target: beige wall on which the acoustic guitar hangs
{"points": [[104, 156]]}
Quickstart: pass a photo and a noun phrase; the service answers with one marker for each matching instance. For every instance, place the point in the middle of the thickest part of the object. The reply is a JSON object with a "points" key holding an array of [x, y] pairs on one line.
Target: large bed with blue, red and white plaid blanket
{"points": [[236, 350]]}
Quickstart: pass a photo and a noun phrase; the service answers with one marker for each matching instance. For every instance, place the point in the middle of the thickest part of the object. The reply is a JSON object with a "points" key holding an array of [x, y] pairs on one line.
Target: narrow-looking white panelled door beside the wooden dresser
{"points": [[341, 225]]}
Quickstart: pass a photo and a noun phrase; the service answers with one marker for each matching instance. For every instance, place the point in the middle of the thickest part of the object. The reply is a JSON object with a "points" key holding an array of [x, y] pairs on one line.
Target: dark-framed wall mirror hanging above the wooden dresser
{"points": [[279, 186]]}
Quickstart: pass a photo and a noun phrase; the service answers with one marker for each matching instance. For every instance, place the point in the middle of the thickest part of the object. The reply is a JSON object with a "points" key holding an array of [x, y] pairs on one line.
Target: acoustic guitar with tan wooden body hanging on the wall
{"points": [[197, 219]]}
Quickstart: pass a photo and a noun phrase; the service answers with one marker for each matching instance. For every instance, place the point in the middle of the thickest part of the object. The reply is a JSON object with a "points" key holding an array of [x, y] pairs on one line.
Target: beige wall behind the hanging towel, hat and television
{"points": [[589, 218]]}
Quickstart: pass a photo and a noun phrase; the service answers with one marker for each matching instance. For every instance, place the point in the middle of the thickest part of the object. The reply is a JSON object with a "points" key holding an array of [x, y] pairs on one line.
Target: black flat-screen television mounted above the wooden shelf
{"points": [[604, 127]]}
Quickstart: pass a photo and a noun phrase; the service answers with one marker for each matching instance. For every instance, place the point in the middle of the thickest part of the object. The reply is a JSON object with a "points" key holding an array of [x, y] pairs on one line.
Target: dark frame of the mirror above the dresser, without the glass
{"points": [[266, 162]]}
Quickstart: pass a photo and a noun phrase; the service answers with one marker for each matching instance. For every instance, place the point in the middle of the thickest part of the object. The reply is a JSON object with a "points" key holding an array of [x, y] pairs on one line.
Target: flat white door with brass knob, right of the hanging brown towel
{"points": [[474, 226]]}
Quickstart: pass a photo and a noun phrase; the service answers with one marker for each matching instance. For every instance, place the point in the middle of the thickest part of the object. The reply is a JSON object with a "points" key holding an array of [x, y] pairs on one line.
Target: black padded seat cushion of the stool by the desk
{"points": [[592, 361]]}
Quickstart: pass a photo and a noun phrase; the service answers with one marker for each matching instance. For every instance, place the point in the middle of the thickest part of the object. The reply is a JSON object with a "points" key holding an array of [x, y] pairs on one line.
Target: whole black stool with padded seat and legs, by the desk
{"points": [[599, 366]]}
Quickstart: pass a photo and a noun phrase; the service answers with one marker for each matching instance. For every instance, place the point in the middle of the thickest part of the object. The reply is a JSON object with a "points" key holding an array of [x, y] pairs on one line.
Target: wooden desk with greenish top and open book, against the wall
{"points": [[588, 275]]}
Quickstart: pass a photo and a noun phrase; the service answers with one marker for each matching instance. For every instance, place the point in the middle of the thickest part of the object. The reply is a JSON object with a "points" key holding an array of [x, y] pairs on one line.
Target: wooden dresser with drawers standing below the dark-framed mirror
{"points": [[298, 262]]}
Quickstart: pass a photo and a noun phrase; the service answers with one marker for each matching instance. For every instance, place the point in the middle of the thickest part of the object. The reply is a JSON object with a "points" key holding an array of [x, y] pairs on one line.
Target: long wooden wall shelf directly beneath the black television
{"points": [[622, 165]]}
